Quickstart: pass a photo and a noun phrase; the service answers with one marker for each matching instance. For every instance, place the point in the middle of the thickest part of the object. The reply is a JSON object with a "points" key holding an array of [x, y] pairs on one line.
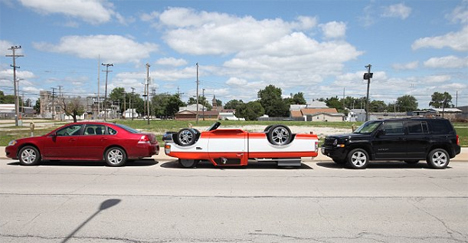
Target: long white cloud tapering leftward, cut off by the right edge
{"points": [[455, 40]]}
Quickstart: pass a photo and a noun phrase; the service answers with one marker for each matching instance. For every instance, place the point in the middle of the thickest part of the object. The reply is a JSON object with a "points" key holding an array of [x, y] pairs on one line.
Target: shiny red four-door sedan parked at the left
{"points": [[113, 143]]}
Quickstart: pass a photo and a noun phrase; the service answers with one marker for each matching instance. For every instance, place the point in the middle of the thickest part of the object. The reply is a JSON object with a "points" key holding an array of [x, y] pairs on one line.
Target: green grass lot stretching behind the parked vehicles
{"points": [[159, 127]]}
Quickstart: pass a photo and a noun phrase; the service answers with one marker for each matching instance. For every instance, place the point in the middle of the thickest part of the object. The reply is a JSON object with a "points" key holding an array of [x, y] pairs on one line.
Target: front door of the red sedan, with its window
{"points": [[63, 143]]}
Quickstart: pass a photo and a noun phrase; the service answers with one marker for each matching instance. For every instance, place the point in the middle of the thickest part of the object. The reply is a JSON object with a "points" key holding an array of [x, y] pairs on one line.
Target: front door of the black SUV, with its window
{"points": [[391, 143]]}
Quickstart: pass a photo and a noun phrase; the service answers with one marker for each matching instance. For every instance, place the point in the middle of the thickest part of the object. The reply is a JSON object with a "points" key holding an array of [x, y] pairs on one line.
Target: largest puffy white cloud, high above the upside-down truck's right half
{"points": [[292, 60]]}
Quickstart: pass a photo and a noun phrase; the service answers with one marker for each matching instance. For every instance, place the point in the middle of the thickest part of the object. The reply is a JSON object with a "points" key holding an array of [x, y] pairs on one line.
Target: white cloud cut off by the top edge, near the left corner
{"points": [[91, 11]]}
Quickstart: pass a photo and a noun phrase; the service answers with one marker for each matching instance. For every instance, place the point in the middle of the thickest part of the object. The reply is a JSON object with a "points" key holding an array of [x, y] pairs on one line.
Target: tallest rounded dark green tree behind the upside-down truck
{"points": [[272, 102]]}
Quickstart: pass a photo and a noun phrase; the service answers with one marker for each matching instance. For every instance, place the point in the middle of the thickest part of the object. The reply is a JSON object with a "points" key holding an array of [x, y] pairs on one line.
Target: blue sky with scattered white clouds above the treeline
{"points": [[319, 48]]}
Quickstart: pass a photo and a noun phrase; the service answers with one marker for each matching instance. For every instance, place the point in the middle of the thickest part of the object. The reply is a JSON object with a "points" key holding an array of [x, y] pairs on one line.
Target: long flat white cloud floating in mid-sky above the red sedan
{"points": [[111, 48]]}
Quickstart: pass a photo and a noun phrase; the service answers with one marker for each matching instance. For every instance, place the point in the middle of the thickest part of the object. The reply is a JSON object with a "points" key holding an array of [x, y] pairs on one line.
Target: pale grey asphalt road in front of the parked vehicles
{"points": [[156, 201]]}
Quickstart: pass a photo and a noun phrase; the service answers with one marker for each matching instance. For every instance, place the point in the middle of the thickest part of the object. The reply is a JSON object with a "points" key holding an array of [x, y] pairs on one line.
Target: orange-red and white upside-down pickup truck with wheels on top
{"points": [[236, 147]]}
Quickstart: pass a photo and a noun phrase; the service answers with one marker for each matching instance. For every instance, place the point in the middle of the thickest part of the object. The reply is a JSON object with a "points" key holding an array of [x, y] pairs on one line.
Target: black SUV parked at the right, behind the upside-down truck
{"points": [[409, 140]]}
